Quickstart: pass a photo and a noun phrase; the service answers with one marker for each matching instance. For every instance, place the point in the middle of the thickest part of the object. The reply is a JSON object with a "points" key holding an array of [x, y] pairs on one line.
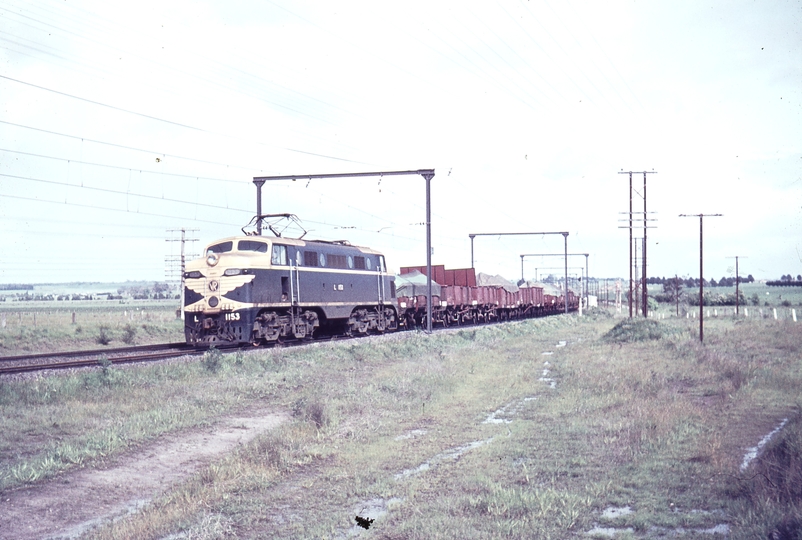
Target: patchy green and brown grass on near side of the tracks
{"points": [[658, 424]]}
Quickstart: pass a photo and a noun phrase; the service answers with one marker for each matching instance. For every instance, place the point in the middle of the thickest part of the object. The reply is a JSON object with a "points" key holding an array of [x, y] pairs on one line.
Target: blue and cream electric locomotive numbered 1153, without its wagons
{"points": [[255, 289]]}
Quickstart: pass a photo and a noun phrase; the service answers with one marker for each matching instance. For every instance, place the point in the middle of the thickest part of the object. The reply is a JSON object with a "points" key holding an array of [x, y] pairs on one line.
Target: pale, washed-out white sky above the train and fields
{"points": [[124, 122]]}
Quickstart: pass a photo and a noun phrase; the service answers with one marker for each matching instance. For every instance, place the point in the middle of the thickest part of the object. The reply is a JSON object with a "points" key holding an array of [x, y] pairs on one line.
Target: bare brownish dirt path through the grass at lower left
{"points": [[73, 503]]}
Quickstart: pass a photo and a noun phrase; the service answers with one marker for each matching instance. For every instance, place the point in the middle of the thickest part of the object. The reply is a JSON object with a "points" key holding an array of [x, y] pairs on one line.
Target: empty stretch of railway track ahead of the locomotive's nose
{"points": [[75, 359]]}
